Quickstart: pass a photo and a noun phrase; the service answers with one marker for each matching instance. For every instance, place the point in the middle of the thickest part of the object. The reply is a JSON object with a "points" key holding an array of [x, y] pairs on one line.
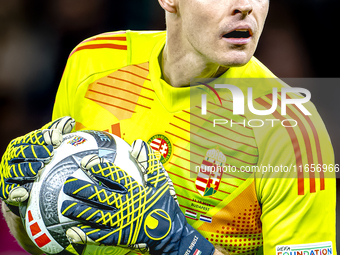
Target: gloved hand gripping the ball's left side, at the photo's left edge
{"points": [[26, 155]]}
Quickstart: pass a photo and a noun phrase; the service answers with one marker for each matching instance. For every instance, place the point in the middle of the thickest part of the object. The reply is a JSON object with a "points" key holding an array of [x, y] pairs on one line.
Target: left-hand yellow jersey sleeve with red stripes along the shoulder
{"points": [[92, 59]]}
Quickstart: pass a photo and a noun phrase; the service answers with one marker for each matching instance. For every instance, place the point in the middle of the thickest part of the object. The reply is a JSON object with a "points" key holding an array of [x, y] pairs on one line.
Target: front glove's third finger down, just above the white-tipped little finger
{"points": [[90, 214]]}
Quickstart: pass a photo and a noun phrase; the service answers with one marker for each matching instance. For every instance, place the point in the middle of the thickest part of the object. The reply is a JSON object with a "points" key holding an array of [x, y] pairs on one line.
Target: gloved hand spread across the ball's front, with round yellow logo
{"points": [[118, 211]]}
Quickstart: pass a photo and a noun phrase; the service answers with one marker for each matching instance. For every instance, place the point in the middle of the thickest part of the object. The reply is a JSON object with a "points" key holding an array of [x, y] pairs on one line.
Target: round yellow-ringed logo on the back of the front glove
{"points": [[157, 224]]}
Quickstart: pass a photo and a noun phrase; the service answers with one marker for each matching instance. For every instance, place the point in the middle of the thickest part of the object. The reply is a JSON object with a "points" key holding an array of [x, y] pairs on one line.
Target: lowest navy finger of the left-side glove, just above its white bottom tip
{"points": [[27, 169]]}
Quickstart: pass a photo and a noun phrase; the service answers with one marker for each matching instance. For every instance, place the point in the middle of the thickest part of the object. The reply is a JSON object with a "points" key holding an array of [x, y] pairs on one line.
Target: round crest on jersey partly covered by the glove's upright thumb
{"points": [[163, 145]]}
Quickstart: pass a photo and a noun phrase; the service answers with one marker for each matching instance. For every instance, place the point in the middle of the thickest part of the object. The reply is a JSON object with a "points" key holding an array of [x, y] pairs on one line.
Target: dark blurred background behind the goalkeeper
{"points": [[300, 40]]}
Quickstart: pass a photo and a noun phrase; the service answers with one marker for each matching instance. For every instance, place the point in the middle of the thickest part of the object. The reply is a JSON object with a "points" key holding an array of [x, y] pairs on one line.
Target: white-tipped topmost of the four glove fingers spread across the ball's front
{"points": [[102, 171]]}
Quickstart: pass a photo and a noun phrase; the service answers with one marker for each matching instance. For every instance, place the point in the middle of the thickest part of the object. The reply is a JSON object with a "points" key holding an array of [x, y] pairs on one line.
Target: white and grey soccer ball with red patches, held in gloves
{"points": [[41, 215]]}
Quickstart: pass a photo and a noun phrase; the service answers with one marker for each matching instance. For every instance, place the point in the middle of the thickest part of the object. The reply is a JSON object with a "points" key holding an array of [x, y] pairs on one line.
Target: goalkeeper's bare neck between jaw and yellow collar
{"points": [[180, 63]]}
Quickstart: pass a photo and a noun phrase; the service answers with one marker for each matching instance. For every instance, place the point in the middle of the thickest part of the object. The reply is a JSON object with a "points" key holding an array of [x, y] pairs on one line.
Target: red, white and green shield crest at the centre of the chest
{"points": [[209, 177]]}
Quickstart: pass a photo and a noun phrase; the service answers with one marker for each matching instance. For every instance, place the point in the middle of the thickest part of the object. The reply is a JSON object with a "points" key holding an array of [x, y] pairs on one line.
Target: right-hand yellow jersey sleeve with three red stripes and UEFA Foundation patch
{"points": [[298, 199]]}
